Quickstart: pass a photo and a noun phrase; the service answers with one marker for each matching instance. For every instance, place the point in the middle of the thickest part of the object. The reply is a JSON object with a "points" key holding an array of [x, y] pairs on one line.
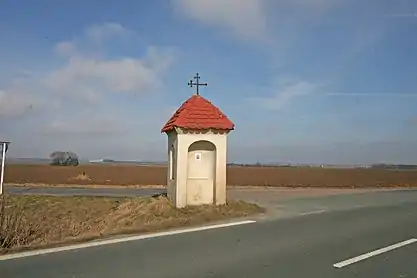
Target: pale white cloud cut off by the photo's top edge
{"points": [[246, 18]]}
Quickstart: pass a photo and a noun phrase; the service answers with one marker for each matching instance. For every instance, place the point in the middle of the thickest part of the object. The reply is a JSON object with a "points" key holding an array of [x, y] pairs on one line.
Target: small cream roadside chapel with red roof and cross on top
{"points": [[197, 148]]}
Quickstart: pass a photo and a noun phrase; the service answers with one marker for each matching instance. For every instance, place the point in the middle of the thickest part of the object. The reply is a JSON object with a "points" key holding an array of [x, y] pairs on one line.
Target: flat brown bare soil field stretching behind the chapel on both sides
{"points": [[128, 175]]}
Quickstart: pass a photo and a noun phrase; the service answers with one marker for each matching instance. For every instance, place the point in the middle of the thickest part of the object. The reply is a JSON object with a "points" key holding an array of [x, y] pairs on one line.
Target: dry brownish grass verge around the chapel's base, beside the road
{"points": [[36, 221]]}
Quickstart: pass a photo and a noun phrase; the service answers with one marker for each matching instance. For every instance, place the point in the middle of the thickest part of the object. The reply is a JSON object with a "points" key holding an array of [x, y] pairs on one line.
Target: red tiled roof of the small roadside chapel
{"points": [[198, 113]]}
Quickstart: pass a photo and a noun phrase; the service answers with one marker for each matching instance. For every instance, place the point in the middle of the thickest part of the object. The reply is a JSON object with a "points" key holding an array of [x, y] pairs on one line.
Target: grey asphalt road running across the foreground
{"points": [[305, 244]]}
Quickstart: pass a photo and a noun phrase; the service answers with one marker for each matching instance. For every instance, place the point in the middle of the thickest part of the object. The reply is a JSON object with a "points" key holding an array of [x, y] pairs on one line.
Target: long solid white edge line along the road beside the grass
{"points": [[120, 240]]}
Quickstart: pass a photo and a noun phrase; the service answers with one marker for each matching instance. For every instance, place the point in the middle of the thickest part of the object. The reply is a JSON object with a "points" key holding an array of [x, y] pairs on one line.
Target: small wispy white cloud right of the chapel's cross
{"points": [[286, 91]]}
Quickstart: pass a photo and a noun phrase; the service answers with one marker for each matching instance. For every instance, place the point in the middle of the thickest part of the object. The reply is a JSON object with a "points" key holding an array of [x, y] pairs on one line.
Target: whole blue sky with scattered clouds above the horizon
{"points": [[305, 81]]}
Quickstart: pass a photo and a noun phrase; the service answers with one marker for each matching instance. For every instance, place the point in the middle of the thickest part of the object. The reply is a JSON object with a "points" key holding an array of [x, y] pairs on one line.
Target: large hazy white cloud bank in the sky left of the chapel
{"points": [[76, 96]]}
